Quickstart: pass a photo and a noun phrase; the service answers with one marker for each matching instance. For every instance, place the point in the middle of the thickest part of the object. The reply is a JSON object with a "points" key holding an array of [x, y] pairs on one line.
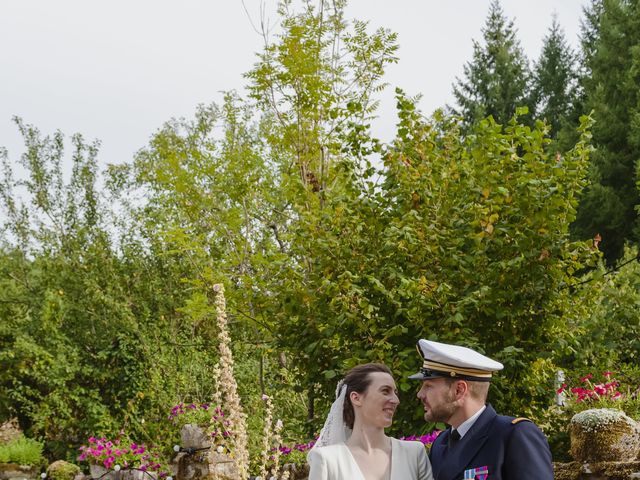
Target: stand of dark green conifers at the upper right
{"points": [[559, 91]]}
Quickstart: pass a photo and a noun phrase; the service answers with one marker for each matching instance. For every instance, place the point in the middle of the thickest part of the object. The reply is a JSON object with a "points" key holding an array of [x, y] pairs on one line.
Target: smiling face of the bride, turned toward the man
{"points": [[377, 405]]}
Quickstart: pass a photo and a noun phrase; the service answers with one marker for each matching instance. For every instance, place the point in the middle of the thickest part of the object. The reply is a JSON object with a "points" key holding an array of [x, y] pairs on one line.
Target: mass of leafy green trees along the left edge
{"points": [[84, 324]]}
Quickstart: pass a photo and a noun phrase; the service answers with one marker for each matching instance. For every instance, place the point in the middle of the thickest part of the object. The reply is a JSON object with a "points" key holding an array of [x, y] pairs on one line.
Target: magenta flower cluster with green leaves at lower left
{"points": [[128, 455]]}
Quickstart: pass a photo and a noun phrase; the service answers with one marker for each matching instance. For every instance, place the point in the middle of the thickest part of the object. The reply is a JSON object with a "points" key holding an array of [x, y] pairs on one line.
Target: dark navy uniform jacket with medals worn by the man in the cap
{"points": [[496, 447]]}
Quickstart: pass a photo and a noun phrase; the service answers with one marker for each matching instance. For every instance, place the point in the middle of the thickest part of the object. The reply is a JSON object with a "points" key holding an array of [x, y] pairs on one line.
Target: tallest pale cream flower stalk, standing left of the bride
{"points": [[229, 389]]}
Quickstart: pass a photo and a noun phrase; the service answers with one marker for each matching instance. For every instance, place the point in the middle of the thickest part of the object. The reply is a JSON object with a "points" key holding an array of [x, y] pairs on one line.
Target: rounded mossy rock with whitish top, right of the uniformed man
{"points": [[604, 435]]}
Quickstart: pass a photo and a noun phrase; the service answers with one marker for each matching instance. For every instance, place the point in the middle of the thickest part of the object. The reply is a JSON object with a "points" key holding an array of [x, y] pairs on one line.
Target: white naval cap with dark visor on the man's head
{"points": [[454, 361]]}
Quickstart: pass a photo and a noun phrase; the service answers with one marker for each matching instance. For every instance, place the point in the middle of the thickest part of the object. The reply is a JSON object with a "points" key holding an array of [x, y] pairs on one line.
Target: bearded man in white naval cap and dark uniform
{"points": [[479, 443]]}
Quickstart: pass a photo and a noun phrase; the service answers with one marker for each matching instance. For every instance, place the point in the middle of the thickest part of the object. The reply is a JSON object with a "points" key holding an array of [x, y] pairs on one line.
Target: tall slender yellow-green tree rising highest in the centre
{"points": [[316, 87]]}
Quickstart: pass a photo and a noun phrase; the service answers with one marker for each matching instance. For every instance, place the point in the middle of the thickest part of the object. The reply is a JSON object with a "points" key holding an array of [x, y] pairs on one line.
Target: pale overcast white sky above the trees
{"points": [[117, 70]]}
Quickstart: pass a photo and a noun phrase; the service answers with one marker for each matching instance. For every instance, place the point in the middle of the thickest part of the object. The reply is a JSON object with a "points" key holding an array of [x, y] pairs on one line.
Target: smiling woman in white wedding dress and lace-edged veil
{"points": [[353, 445]]}
